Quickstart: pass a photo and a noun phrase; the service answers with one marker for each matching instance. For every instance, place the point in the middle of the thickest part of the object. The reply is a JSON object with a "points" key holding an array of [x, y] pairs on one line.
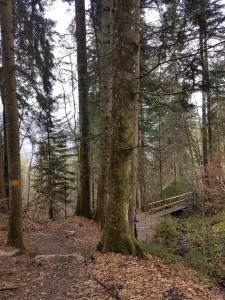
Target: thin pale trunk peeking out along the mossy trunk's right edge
{"points": [[134, 153]]}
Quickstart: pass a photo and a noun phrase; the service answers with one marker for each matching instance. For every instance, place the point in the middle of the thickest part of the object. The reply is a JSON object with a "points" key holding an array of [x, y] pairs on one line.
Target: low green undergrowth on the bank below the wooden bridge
{"points": [[195, 241]]}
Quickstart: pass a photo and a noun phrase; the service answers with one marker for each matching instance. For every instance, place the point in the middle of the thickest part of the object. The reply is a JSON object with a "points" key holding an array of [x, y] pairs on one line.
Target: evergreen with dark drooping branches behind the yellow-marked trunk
{"points": [[33, 65]]}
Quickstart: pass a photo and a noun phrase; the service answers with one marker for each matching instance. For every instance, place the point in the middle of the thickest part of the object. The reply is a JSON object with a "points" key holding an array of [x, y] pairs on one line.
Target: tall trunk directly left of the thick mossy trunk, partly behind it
{"points": [[105, 86]]}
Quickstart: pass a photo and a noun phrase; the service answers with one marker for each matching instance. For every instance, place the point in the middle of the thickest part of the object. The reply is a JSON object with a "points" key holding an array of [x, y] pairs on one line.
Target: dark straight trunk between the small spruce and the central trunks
{"points": [[84, 202]]}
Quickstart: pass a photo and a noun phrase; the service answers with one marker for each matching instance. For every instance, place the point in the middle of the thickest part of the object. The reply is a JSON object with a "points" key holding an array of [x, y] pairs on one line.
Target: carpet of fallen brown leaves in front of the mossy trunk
{"points": [[151, 279]]}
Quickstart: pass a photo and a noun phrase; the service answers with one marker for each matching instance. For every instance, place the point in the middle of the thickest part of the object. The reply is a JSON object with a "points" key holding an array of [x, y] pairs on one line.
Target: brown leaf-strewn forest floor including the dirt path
{"points": [[61, 263]]}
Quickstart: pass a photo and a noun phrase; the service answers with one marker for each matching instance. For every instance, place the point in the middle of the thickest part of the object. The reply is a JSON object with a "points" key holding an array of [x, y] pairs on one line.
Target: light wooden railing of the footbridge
{"points": [[160, 205]]}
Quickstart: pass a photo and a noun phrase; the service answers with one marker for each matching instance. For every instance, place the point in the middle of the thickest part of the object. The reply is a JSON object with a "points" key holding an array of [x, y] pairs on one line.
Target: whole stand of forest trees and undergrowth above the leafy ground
{"points": [[124, 110]]}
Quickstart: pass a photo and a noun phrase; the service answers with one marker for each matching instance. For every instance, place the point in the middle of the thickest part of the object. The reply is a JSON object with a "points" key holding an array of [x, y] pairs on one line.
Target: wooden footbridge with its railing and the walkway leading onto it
{"points": [[158, 209]]}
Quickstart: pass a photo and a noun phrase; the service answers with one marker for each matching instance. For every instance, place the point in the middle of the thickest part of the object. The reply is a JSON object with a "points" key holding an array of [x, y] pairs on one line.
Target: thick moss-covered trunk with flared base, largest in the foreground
{"points": [[117, 236]]}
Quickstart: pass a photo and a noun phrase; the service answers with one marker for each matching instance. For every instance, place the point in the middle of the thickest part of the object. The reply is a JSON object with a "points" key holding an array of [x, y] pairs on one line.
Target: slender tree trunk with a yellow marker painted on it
{"points": [[15, 233]]}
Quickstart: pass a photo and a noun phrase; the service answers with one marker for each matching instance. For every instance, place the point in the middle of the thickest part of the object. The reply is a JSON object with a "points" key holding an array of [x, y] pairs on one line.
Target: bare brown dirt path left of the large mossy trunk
{"points": [[55, 266]]}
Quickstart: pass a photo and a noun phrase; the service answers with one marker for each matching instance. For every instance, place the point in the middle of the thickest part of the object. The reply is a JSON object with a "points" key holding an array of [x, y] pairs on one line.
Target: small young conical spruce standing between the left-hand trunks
{"points": [[53, 177]]}
